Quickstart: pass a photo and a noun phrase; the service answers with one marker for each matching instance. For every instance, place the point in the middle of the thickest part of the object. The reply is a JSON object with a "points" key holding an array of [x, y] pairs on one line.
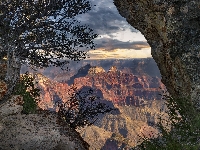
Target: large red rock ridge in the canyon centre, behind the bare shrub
{"points": [[123, 88]]}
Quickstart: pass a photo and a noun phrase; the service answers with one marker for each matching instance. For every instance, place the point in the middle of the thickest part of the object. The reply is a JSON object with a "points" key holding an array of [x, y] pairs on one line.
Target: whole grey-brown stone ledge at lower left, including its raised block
{"points": [[35, 131]]}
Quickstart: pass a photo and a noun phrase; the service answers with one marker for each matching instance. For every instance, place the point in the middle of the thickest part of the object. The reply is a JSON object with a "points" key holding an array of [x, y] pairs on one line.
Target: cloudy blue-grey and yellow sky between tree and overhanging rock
{"points": [[117, 39]]}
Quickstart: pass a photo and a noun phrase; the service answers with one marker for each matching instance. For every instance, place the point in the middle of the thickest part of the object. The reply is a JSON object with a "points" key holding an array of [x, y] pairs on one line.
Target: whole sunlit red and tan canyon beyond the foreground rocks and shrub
{"points": [[136, 96]]}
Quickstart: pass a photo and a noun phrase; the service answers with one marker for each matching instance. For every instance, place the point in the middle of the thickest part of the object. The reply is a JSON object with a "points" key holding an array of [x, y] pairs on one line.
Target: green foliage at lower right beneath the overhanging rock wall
{"points": [[185, 126]]}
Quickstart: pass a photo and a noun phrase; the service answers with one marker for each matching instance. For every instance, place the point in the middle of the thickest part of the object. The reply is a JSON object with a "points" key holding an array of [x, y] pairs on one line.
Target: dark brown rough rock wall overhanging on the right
{"points": [[172, 29]]}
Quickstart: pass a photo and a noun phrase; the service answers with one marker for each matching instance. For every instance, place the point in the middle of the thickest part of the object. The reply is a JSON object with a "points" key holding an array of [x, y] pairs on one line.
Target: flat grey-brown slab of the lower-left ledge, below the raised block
{"points": [[36, 132]]}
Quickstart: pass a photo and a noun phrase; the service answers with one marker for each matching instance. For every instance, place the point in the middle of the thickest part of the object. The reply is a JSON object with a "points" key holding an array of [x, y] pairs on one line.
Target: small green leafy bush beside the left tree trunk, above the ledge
{"points": [[26, 88]]}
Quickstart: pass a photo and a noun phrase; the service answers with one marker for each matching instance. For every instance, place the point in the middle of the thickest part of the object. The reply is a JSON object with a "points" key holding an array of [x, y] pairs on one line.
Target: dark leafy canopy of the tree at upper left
{"points": [[28, 26]]}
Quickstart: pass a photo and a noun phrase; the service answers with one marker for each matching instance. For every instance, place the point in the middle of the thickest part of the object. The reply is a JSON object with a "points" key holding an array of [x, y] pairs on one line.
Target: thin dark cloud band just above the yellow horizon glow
{"points": [[108, 44]]}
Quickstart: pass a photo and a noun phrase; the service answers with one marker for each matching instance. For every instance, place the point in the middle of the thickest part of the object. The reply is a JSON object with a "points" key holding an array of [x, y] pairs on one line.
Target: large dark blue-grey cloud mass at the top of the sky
{"points": [[105, 19]]}
